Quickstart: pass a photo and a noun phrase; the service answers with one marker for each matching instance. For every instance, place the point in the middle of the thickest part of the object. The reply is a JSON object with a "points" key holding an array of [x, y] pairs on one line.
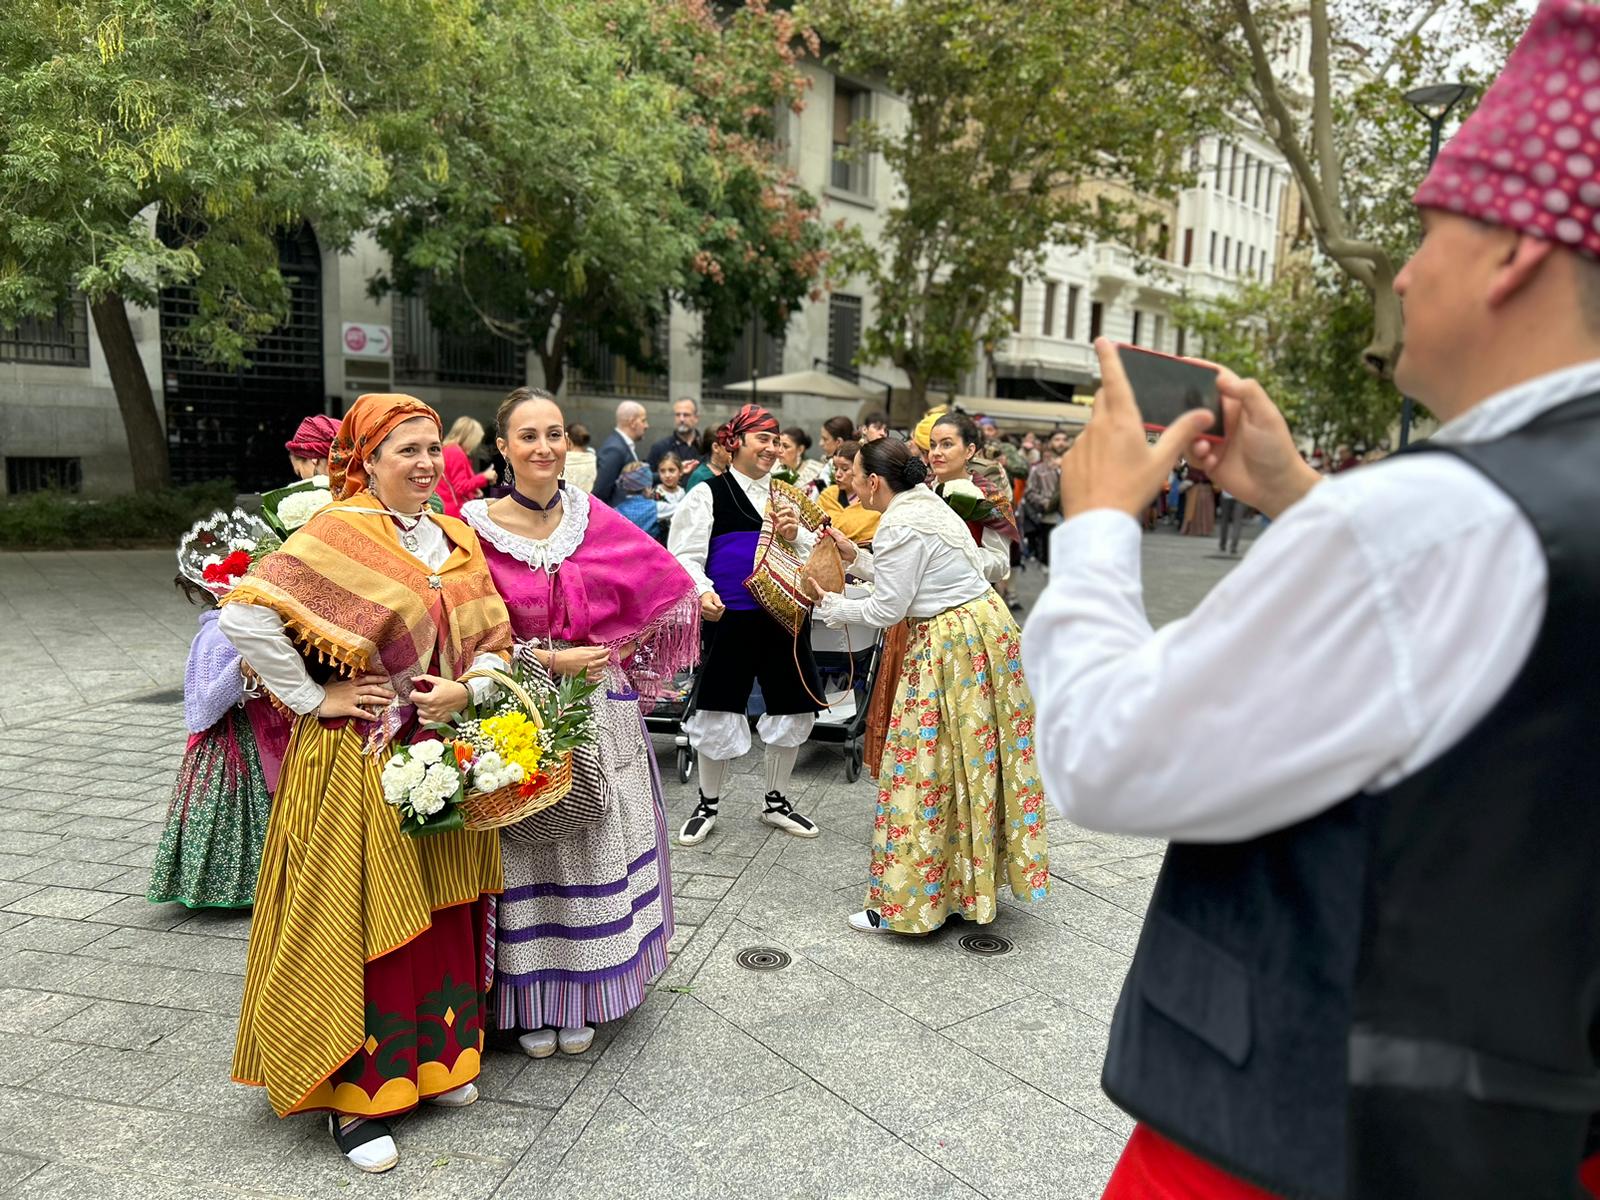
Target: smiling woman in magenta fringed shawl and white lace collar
{"points": [[585, 922]]}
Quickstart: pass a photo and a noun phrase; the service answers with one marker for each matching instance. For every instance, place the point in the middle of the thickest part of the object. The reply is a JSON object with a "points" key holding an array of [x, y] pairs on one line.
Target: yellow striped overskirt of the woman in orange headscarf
{"points": [[340, 887]]}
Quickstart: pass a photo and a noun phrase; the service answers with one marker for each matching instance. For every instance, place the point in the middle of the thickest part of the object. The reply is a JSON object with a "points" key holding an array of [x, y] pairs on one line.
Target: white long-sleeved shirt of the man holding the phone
{"points": [[1370, 628]]}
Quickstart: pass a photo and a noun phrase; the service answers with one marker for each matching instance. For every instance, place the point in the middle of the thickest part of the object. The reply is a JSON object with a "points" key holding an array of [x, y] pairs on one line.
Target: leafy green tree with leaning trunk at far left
{"points": [[159, 145]]}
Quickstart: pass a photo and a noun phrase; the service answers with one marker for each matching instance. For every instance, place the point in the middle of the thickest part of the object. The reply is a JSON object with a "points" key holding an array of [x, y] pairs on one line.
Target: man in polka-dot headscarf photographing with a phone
{"points": [[1372, 964]]}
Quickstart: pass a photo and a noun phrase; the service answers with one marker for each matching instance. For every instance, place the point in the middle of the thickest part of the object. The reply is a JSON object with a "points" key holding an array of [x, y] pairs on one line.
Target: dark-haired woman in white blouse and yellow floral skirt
{"points": [[961, 804]]}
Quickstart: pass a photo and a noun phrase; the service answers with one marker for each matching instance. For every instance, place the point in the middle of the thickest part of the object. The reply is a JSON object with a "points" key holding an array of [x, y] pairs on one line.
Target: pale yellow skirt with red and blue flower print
{"points": [[961, 804]]}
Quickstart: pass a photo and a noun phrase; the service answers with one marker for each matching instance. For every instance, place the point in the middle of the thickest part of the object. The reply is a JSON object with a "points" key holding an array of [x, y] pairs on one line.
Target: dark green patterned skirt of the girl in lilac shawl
{"points": [[210, 852]]}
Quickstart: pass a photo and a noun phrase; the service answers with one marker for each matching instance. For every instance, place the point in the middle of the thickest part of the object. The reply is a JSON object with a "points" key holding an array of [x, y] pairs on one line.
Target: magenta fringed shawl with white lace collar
{"points": [[598, 582]]}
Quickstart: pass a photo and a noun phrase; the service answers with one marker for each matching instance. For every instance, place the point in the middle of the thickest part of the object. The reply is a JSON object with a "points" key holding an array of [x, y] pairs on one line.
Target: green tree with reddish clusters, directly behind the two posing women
{"points": [[593, 162]]}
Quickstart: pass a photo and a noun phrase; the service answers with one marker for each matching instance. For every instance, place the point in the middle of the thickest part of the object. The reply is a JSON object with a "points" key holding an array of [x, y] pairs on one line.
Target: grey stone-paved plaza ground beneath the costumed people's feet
{"points": [[873, 1068]]}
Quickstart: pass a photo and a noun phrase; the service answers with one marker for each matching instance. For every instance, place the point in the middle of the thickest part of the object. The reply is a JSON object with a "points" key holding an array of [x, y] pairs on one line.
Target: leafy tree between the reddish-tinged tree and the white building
{"points": [[1017, 113]]}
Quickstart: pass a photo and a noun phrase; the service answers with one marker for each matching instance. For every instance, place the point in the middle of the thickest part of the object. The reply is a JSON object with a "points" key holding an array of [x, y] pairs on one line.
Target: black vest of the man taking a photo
{"points": [[1401, 998]]}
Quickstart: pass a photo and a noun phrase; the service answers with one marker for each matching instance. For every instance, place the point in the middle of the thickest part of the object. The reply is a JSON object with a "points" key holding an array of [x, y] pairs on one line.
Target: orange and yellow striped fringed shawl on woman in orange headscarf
{"points": [[354, 598]]}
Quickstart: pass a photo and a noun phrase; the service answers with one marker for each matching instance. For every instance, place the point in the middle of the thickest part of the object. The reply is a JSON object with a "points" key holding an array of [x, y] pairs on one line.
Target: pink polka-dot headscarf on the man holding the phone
{"points": [[1527, 158]]}
